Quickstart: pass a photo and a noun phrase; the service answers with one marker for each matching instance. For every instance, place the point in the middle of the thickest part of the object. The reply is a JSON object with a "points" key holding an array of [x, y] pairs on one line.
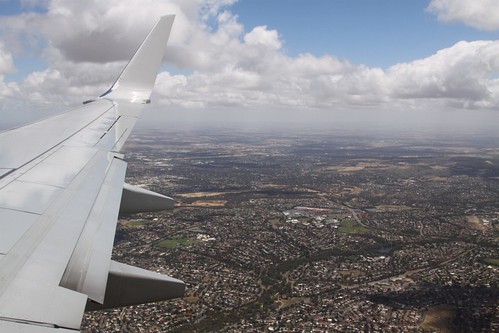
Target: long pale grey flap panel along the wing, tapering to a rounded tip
{"points": [[32, 270]]}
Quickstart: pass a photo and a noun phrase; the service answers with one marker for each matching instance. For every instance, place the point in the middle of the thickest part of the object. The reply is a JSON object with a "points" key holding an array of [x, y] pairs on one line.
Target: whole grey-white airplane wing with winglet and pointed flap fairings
{"points": [[61, 190]]}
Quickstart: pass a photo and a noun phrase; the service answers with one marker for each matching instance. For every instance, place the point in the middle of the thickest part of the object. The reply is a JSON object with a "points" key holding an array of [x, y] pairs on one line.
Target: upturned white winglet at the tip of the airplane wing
{"points": [[137, 79]]}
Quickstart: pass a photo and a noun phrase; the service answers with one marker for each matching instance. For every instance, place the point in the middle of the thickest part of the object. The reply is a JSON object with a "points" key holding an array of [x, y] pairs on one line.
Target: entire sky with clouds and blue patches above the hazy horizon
{"points": [[325, 62]]}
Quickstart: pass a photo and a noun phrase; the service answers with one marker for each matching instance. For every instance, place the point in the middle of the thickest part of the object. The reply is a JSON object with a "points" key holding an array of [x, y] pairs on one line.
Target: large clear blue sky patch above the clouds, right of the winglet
{"points": [[377, 33]]}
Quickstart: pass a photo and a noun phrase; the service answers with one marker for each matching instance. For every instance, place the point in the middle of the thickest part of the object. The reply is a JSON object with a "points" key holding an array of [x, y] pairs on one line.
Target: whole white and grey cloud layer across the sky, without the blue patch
{"points": [[223, 65]]}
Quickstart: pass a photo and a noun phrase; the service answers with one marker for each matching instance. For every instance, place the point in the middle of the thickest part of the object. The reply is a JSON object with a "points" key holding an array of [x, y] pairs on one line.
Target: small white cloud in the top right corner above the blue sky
{"points": [[480, 14]]}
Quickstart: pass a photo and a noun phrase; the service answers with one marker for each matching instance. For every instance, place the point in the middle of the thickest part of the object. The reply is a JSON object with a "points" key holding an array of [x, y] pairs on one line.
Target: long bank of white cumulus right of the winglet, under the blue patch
{"points": [[460, 76]]}
